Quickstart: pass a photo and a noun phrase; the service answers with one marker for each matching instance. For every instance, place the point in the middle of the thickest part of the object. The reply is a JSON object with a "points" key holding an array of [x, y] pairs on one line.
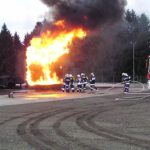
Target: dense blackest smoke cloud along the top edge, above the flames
{"points": [[87, 13]]}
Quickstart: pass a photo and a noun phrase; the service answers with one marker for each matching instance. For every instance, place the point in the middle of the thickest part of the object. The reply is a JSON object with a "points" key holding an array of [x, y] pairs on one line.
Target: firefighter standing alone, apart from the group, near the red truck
{"points": [[126, 80]]}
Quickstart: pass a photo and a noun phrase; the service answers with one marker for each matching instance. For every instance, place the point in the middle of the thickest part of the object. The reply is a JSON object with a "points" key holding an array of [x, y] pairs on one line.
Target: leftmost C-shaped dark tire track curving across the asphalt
{"points": [[32, 135]]}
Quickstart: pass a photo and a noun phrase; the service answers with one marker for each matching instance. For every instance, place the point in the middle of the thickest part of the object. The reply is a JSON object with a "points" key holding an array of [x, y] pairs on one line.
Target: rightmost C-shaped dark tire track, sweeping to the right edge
{"points": [[86, 123]]}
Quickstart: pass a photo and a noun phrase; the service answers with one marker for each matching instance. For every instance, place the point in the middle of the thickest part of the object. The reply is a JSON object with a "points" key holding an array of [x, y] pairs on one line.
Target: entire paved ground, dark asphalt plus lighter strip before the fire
{"points": [[103, 120]]}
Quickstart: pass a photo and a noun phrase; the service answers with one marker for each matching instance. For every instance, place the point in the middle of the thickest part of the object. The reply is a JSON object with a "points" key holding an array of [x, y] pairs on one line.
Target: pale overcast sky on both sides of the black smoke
{"points": [[21, 15]]}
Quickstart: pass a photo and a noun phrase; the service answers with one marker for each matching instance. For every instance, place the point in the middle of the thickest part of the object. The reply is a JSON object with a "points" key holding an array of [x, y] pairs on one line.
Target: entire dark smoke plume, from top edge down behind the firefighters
{"points": [[98, 52]]}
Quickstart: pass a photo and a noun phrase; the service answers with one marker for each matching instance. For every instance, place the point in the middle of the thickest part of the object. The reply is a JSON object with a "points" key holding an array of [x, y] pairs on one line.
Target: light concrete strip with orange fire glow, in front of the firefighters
{"points": [[31, 96]]}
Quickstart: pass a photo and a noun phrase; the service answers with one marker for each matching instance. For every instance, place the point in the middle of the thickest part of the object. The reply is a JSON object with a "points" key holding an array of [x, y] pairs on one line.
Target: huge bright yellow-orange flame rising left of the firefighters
{"points": [[46, 50]]}
